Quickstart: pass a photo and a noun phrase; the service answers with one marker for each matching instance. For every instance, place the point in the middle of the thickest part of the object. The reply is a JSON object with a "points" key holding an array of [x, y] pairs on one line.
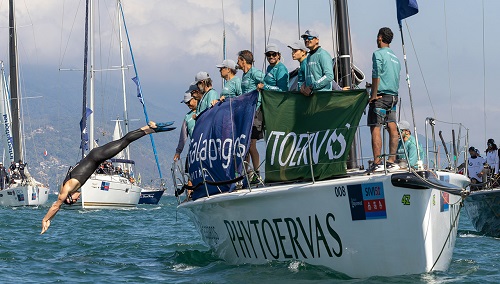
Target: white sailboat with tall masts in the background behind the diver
{"points": [[111, 189]]}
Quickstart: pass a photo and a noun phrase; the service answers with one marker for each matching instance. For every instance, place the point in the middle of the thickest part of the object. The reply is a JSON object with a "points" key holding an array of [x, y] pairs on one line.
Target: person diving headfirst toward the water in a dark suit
{"points": [[78, 175]]}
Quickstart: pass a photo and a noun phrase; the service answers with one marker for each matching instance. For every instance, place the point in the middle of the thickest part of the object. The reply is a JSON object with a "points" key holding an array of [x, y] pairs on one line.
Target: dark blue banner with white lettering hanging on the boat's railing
{"points": [[219, 143]]}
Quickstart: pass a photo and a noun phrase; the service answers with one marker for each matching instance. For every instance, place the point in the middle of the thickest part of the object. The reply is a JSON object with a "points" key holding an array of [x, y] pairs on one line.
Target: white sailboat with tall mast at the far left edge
{"points": [[23, 189]]}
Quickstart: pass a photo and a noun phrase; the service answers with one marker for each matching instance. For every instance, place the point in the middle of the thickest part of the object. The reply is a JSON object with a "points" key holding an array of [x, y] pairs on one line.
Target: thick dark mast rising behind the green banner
{"points": [[344, 61]]}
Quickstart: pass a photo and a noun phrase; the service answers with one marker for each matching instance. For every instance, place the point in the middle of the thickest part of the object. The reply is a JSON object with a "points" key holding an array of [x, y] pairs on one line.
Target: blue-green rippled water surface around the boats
{"points": [[154, 244]]}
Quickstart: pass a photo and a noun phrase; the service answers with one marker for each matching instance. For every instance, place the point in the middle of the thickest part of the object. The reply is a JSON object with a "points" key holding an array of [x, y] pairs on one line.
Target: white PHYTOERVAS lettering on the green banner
{"points": [[297, 144]]}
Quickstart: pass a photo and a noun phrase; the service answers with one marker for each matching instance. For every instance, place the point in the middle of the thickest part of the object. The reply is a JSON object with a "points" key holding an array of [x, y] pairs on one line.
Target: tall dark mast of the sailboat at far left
{"points": [[14, 85]]}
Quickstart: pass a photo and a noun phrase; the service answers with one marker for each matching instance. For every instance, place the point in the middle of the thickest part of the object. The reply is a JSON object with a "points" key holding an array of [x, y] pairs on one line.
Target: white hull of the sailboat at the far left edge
{"points": [[24, 195]]}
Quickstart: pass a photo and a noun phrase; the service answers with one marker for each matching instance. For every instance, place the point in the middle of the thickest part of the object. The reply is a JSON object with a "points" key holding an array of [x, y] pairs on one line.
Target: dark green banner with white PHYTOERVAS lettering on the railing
{"points": [[302, 129]]}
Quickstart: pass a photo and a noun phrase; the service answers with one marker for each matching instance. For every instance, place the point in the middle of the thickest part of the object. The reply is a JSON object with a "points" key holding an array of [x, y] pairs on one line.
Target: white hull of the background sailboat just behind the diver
{"points": [[108, 191]]}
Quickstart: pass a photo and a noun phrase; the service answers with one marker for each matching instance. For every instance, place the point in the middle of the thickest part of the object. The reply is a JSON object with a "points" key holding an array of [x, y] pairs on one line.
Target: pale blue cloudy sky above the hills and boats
{"points": [[173, 40]]}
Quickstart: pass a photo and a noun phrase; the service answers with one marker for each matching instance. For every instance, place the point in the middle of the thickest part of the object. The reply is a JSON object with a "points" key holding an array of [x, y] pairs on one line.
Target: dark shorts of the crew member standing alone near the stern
{"points": [[382, 110]]}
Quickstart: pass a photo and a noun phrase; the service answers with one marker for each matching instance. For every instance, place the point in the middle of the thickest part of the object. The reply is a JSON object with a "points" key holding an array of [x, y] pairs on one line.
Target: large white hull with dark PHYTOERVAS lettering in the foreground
{"points": [[320, 223]]}
